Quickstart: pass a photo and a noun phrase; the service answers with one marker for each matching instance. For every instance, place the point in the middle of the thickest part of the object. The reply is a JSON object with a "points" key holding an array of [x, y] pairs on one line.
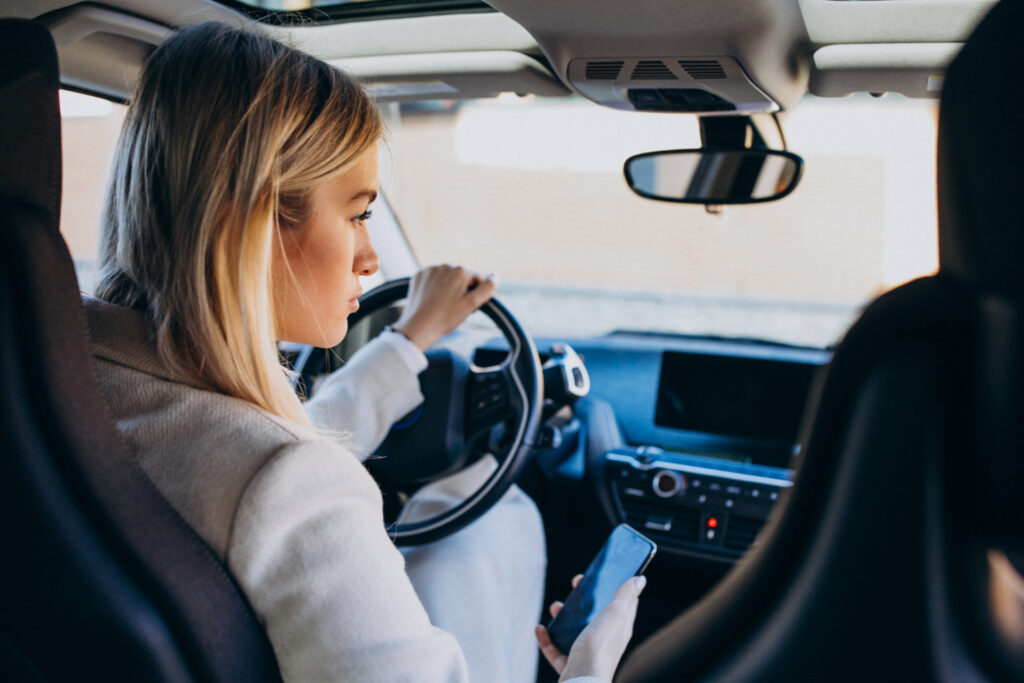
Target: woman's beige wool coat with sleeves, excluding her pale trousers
{"points": [[296, 519]]}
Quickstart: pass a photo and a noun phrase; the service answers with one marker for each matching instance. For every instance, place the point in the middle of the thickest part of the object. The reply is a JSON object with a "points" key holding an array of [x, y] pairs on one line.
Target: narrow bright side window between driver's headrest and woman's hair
{"points": [[90, 132]]}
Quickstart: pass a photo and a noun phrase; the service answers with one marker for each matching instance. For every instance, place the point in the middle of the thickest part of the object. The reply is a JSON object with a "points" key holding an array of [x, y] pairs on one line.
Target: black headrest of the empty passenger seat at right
{"points": [[982, 156]]}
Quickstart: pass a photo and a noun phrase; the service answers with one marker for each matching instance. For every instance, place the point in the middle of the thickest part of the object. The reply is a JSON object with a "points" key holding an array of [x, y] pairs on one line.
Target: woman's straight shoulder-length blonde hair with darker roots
{"points": [[227, 136]]}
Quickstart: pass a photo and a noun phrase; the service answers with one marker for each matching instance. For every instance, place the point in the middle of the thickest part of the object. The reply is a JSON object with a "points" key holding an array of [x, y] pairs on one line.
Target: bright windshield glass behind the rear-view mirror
{"points": [[533, 189]]}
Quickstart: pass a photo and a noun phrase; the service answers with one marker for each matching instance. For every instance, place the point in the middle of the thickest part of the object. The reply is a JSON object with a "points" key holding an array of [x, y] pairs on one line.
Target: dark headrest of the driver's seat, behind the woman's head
{"points": [[30, 118]]}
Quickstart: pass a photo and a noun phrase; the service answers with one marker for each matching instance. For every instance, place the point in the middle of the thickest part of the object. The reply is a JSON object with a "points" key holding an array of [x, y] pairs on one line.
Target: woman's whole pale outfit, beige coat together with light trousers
{"points": [[298, 522]]}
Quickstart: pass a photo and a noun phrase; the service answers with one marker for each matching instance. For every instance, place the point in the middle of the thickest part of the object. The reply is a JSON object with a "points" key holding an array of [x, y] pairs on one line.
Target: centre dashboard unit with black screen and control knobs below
{"points": [[709, 493]]}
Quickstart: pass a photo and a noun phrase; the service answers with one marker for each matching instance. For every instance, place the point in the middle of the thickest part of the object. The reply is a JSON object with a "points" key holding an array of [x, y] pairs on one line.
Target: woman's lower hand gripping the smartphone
{"points": [[601, 646]]}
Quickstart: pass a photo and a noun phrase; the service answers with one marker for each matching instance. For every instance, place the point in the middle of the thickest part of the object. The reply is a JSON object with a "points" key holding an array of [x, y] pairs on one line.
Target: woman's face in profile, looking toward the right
{"points": [[317, 266]]}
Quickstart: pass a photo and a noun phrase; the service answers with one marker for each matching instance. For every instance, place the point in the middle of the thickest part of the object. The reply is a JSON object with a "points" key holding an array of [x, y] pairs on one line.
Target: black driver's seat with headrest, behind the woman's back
{"points": [[100, 579]]}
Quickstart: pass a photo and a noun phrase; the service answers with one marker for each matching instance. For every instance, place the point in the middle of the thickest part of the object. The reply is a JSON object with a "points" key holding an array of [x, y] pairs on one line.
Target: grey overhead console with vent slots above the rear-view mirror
{"points": [[700, 57]]}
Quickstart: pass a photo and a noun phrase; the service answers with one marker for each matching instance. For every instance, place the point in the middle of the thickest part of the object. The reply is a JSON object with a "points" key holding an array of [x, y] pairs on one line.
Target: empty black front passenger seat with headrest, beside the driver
{"points": [[878, 566]]}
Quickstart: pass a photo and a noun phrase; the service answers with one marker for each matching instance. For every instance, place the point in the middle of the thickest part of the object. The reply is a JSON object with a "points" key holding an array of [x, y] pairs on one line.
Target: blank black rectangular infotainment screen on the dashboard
{"points": [[734, 397]]}
